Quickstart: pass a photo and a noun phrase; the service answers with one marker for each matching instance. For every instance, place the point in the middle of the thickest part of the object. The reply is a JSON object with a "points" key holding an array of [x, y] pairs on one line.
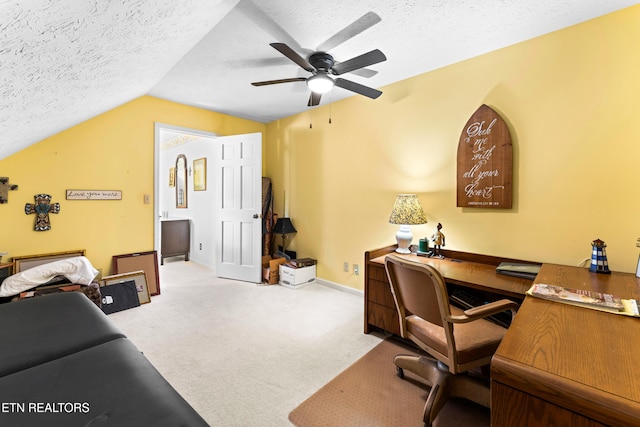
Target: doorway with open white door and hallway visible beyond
{"points": [[223, 205]]}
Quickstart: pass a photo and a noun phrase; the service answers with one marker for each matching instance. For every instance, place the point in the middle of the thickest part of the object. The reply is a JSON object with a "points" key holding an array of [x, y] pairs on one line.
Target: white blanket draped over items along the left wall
{"points": [[77, 270]]}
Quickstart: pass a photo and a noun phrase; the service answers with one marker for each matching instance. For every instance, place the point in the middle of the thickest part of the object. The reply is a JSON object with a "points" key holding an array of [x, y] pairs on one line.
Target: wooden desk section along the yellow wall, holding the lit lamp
{"points": [[471, 271]]}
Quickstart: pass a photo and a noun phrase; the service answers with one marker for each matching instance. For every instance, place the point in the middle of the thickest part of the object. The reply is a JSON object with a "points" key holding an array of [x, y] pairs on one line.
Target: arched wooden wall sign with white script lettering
{"points": [[485, 162]]}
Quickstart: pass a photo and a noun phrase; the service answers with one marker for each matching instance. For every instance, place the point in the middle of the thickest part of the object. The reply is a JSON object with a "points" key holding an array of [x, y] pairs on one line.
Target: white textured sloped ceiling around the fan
{"points": [[65, 61]]}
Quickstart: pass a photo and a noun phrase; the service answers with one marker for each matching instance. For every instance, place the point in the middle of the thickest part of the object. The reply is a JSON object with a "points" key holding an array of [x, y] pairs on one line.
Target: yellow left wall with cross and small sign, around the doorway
{"points": [[113, 151]]}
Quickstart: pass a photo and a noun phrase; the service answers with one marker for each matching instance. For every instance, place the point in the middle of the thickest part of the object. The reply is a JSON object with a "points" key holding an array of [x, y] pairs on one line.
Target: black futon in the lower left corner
{"points": [[62, 363]]}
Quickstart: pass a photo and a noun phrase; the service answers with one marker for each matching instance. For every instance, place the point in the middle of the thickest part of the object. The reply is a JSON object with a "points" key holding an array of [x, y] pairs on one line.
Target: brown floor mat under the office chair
{"points": [[369, 393]]}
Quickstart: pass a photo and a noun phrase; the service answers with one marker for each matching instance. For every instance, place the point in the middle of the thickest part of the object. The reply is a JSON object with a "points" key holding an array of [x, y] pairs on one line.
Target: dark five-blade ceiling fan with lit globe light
{"points": [[323, 66]]}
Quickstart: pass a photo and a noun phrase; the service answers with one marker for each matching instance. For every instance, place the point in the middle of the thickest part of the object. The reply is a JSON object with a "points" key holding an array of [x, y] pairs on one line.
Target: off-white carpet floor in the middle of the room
{"points": [[242, 354]]}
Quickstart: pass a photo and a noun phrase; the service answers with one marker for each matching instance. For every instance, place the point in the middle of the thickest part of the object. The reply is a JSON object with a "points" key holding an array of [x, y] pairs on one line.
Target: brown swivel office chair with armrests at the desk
{"points": [[457, 340]]}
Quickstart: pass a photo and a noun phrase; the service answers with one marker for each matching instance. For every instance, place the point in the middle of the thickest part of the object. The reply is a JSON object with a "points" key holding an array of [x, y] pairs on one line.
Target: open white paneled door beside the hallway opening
{"points": [[238, 210]]}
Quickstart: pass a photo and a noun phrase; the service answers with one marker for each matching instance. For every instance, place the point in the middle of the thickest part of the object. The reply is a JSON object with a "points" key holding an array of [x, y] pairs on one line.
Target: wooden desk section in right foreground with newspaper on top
{"points": [[562, 365]]}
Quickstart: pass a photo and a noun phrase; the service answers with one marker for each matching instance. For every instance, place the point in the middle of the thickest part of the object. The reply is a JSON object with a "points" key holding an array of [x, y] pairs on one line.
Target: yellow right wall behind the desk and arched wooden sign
{"points": [[570, 99]]}
